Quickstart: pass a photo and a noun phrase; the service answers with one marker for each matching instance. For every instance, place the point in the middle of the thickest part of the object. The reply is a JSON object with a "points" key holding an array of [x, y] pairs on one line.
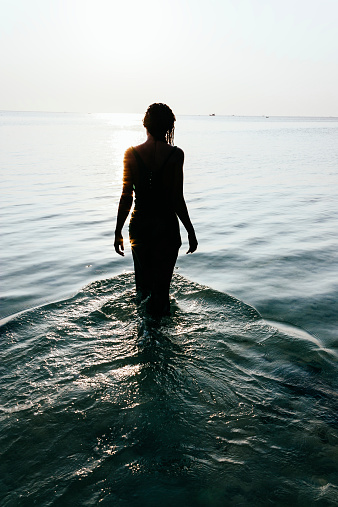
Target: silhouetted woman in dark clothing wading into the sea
{"points": [[154, 172]]}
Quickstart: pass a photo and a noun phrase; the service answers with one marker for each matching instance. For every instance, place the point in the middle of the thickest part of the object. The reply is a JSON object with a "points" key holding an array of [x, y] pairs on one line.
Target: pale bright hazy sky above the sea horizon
{"points": [[230, 57]]}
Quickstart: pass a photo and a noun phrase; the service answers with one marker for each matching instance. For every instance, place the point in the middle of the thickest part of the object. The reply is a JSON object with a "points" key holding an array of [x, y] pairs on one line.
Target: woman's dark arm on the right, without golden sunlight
{"points": [[181, 207]]}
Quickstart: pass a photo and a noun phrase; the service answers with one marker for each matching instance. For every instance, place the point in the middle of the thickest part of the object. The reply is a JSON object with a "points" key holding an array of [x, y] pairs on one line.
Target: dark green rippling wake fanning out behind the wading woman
{"points": [[213, 406]]}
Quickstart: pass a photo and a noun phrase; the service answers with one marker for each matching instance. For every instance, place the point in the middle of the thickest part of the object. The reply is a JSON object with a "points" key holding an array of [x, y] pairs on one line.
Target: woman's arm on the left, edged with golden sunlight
{"points": [[125, 204]]}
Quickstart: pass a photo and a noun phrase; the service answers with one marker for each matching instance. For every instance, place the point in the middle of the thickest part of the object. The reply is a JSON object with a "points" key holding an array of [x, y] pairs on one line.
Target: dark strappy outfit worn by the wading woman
{"points": [[154, 236]]}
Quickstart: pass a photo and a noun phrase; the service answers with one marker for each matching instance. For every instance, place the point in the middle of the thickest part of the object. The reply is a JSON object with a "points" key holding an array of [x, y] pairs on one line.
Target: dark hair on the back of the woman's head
{"points": [[159, 120]]}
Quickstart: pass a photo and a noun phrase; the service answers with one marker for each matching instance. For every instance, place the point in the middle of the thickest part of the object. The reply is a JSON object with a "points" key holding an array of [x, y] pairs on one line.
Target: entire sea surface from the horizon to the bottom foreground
{"points": [[231, 401]]}
